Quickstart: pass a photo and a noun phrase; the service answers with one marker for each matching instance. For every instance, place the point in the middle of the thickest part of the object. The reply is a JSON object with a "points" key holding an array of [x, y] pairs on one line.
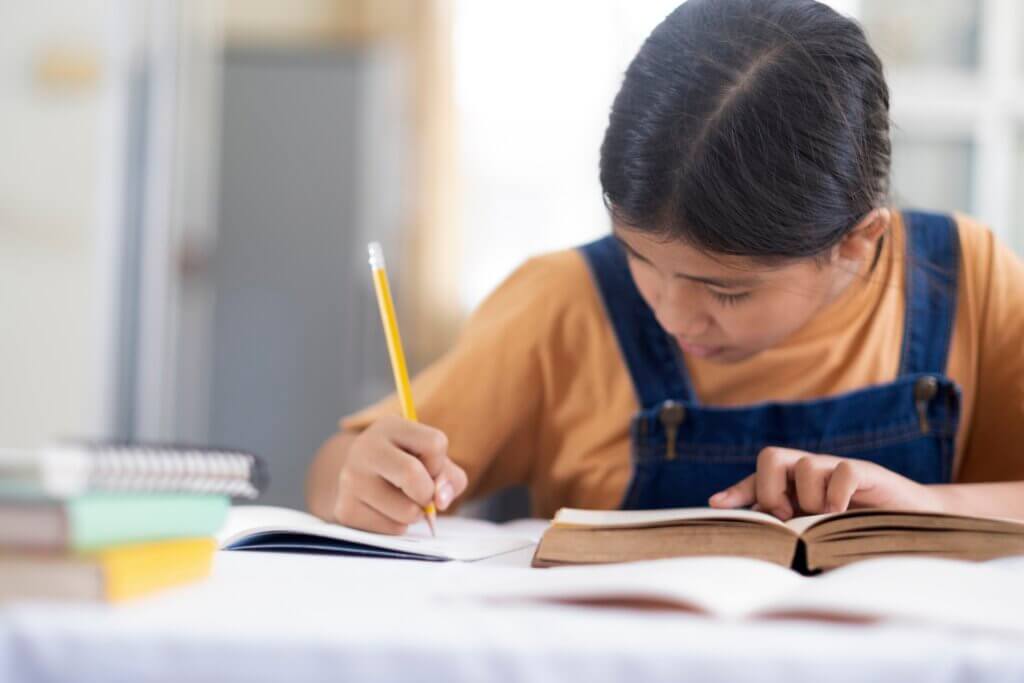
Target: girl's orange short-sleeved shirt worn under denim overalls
{"points": [[536, 393]]}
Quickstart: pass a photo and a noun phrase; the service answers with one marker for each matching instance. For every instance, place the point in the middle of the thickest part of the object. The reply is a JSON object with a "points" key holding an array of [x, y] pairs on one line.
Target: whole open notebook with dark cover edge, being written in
{"points": [[283, 530]]}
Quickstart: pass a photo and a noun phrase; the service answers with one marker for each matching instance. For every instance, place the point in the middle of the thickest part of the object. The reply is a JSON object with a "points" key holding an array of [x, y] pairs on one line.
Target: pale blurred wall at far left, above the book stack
{"points": [[54, 94]]}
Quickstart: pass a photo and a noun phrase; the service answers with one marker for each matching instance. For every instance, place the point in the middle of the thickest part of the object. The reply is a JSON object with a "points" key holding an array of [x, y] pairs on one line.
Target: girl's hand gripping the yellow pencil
{"points": [[393, 471]]}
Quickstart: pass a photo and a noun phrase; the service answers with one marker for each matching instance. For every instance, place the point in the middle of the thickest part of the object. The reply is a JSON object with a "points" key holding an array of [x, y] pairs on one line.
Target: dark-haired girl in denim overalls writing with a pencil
{"points": [[759, 328]]}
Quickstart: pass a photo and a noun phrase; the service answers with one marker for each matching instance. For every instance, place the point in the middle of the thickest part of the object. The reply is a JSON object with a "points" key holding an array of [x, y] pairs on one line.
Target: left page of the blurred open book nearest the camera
{"points": [[729, 587]]}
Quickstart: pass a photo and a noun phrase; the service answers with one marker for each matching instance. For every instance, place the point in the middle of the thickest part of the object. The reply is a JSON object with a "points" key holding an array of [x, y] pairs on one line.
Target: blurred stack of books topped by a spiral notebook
{"points": [[111, 523]]}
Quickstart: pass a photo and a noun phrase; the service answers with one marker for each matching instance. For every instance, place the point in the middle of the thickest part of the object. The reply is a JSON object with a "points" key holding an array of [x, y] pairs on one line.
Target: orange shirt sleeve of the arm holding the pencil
{"points": [[487, 394]]}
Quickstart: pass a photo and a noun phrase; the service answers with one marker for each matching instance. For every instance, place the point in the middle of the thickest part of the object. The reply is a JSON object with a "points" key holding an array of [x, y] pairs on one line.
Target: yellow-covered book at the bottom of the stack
{"points": [[113, 574]]}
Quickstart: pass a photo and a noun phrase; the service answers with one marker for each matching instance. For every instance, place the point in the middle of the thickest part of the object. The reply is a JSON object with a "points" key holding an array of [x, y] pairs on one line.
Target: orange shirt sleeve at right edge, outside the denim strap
{"points": [[996, 449]]}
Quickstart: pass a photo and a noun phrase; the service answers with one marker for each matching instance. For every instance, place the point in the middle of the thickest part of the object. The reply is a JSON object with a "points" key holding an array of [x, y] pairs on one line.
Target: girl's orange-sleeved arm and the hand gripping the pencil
{"points": [[484, 397]]}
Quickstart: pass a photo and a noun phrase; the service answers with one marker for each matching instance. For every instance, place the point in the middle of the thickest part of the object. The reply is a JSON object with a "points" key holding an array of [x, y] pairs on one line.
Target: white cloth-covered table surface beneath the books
{"points": [[268, 617]]}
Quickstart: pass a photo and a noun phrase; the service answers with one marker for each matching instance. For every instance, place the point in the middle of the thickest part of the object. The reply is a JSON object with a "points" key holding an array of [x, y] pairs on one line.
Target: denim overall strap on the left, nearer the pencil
{"points": [[655, 362]]}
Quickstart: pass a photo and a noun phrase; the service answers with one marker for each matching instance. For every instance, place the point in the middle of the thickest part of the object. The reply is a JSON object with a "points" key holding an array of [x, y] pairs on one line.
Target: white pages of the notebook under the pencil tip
{"points": [[453, 541]]}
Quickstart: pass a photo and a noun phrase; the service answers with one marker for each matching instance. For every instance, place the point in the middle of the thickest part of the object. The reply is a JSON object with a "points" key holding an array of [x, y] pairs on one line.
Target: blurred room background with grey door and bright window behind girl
{"points": [[187, 189]]}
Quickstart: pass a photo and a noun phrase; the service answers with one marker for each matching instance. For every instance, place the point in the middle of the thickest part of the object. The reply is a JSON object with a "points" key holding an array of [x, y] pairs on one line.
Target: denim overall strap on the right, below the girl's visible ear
{"points": [[933, 264]]}
